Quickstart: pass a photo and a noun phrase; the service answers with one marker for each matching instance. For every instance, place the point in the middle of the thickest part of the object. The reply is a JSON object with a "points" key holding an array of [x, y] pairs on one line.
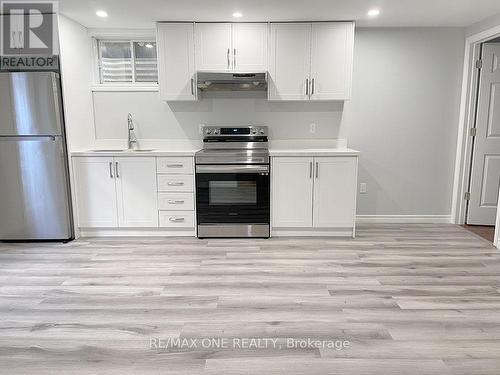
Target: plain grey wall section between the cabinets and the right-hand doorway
{"points": [[404, 118]]}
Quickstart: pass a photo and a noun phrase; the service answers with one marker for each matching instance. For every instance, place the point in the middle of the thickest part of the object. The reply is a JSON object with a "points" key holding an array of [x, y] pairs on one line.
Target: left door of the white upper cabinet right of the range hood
{"points": [[289, 61]]}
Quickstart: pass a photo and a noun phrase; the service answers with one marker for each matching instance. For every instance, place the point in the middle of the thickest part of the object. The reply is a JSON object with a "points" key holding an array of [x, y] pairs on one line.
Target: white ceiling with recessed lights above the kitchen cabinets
{"points": [[143, 13]]}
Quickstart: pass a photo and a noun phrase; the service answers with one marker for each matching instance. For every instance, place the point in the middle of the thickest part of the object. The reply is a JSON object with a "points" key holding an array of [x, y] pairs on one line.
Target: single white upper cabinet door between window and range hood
{"points": [[175, 44]]}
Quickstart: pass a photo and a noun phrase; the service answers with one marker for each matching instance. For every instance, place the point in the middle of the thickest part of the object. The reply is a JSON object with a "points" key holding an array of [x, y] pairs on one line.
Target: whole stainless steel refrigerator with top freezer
{"points": [[35, 199]]}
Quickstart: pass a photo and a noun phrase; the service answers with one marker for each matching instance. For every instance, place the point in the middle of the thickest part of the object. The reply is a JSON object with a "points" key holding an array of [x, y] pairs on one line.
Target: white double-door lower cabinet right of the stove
{"points": [[314, 195]]}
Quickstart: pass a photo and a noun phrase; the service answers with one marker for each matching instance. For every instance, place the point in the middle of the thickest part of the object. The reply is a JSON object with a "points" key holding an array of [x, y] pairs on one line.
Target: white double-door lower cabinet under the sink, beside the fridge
{"points": [[116, 192]]}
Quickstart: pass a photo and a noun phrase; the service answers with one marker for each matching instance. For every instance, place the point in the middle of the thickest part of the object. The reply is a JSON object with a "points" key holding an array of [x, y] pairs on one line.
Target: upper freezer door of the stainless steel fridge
{"points": [[30, 104]]}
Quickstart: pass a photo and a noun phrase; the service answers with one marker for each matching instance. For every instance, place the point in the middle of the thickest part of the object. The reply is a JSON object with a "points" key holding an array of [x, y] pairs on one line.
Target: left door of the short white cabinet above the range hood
{"points": [[213, 46]]}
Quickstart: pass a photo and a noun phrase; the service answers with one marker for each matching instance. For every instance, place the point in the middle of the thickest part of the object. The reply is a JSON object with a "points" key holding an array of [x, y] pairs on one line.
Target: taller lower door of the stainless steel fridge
{"points": [[34, 191]]}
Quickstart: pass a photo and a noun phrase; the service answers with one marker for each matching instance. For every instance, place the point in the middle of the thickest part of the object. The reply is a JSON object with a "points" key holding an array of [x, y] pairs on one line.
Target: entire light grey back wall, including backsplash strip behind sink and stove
{"points": [[403, 117]]}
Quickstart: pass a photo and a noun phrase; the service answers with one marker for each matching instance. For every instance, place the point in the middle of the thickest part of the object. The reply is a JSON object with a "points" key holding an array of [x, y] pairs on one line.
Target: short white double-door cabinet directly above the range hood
{"points": [[239, 47]]}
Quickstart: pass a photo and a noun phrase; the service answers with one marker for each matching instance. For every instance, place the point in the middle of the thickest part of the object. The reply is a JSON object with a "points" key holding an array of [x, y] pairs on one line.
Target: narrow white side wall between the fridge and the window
{"points": [[76, 77]]}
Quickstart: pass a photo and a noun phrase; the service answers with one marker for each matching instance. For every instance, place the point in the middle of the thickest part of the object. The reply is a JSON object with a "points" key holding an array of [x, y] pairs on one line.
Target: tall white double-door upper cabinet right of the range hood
{"points": [[311, 61]]}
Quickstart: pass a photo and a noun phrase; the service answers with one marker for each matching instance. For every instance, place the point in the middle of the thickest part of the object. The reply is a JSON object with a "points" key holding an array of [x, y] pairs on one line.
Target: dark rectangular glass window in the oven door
{"points": [[232, 192]]}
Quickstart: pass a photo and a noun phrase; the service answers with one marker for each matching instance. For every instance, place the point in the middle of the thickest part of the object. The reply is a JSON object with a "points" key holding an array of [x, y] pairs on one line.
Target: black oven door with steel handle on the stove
{"points": [[232, 194]]}
